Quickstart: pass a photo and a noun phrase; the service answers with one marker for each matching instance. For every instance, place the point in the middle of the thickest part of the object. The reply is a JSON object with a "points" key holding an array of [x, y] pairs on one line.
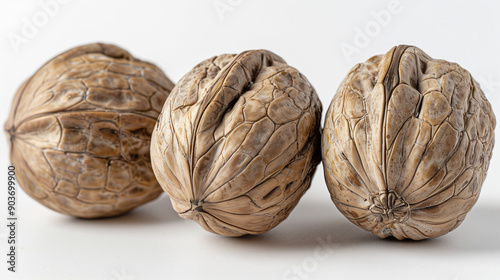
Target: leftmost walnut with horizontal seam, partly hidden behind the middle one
{"points": [[80, 131]]}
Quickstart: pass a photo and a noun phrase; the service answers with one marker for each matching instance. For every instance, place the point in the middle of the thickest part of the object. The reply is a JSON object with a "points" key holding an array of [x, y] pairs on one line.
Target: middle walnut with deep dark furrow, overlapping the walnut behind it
{"points": [[237, 142]]}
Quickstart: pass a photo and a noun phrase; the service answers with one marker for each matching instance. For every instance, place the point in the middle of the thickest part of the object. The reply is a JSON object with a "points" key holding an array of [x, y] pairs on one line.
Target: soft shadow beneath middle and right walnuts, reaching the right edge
{"points": [[312, 224]]}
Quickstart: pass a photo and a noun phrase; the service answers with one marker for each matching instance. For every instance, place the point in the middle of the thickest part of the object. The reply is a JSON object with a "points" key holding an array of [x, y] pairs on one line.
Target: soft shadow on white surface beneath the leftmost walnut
{"points": [[157, 211]]}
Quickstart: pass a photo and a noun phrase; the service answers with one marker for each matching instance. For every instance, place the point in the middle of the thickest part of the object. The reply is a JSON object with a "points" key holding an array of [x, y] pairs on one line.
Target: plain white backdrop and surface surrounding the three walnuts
{"points": [[152, 242]]}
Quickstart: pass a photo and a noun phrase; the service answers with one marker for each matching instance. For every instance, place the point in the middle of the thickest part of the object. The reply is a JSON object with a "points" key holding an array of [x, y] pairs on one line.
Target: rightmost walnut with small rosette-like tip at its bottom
{"points": [[406, 144]]}
